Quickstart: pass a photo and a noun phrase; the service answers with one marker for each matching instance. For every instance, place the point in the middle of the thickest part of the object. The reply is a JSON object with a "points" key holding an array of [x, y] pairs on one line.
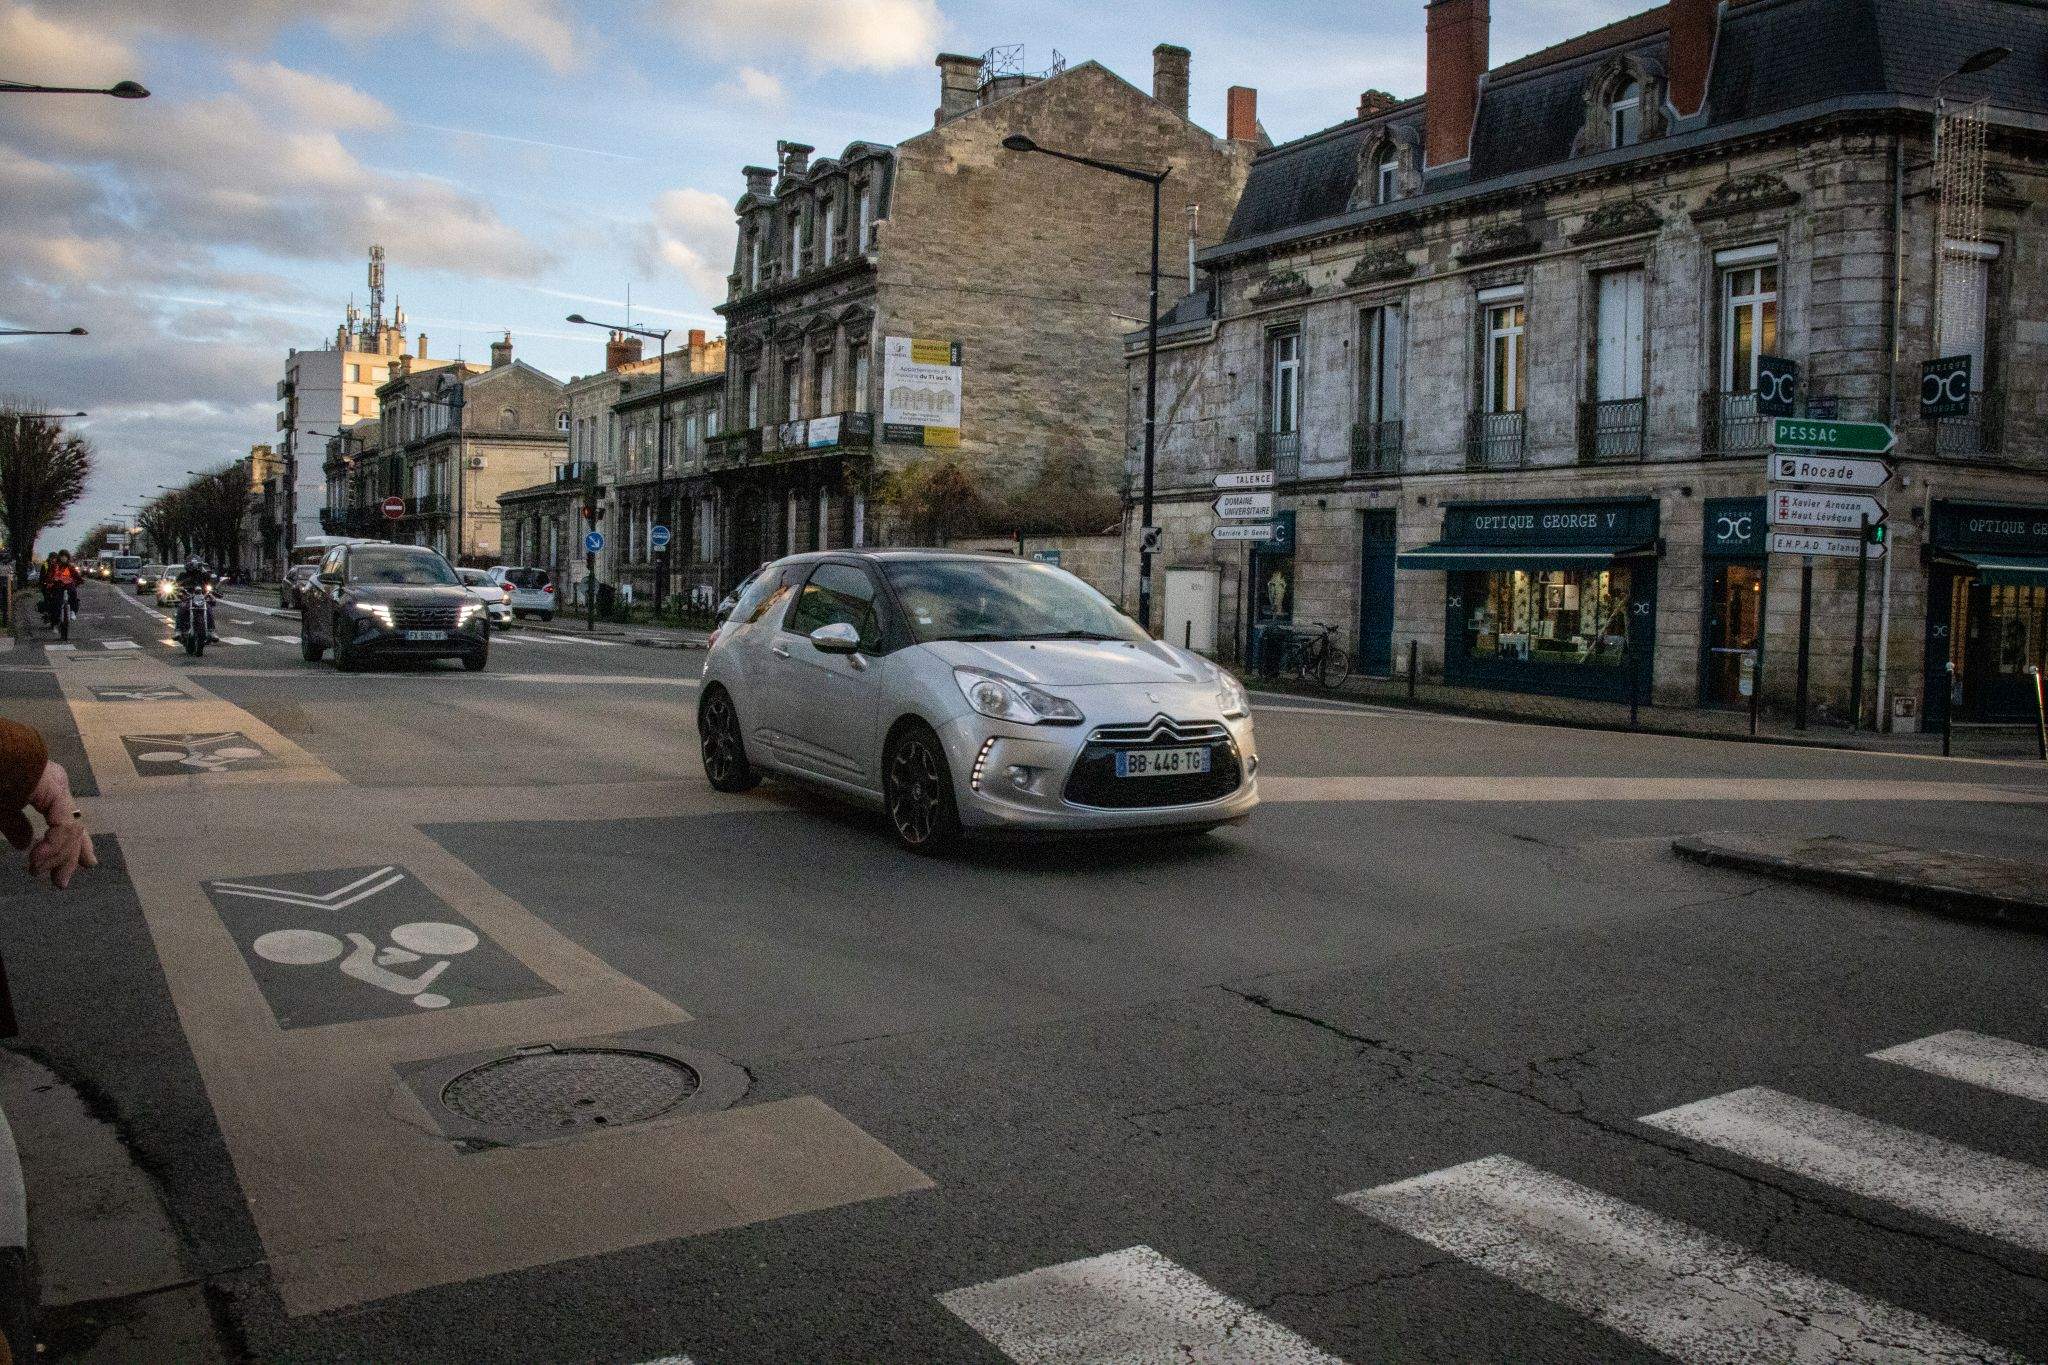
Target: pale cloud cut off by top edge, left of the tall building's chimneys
{"points": [[873, 36]]}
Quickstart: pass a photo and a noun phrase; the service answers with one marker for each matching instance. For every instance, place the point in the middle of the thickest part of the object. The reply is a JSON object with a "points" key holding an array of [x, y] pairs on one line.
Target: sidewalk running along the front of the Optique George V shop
{"points": [[2014, 742]]}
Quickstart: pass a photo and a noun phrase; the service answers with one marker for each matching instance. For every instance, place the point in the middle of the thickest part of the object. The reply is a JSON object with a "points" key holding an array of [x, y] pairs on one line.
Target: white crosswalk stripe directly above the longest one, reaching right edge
{"points": [[1938, 1180]]}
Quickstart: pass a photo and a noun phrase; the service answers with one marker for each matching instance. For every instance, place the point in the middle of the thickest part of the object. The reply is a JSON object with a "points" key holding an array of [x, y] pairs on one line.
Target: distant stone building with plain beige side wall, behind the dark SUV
{"points": [[456, 437]]}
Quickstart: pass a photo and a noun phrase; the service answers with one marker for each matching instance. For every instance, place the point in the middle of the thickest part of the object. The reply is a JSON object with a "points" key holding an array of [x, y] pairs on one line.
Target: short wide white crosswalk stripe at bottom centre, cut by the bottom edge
{"points": [[1132, 1307]]}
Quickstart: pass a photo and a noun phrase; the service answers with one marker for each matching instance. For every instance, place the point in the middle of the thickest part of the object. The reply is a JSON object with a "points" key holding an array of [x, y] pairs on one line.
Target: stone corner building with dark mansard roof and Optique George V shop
{"points": [[1508, 351]]}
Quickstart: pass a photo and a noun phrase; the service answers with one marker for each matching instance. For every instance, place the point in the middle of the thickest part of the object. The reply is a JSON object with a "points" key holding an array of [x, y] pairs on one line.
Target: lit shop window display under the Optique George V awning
{"points": [[1547, 615]]}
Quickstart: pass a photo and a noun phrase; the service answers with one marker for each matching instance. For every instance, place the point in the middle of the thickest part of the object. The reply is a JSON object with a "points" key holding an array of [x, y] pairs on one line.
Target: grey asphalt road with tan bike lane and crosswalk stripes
{"points": [[1441, 1057]]}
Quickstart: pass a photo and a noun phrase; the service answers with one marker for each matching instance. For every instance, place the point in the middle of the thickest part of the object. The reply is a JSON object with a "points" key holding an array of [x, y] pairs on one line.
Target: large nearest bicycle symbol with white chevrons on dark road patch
{"points": [[361, 944]]}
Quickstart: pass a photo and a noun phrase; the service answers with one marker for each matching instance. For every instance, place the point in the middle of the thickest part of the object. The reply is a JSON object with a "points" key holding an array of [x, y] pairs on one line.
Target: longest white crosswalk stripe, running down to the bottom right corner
{"points": [[1658, 1282]]}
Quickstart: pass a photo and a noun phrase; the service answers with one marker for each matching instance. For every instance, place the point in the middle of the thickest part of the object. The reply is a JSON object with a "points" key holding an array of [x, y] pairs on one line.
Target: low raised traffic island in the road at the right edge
{"points": [[1926, 879]]}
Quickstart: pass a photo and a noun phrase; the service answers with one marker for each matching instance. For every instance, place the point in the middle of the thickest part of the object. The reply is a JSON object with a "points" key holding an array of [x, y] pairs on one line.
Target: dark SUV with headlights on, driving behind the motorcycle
{"points": [[390, 603]]}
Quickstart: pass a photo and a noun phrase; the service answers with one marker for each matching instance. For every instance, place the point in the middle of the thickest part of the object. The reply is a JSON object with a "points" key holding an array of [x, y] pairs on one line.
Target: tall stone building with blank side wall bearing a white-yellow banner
{"points": [[949, 300]]}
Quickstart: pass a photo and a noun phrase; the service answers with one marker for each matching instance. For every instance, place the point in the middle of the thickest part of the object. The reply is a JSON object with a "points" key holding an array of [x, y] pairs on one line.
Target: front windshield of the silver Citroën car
{"points": [[1002, 601]]}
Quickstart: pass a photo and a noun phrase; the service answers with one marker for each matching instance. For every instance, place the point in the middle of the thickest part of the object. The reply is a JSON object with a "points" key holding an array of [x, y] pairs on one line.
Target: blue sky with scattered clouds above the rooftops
{"points": [[517, 161]]}
